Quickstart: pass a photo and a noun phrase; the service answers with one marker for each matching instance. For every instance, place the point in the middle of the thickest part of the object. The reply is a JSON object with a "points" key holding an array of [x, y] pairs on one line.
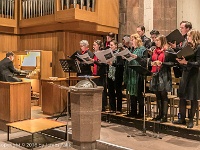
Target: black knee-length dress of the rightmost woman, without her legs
{"points": [[189, 88]]}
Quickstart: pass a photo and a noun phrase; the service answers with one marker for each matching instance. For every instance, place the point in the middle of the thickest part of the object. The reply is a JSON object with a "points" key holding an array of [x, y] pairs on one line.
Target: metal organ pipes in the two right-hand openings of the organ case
{"points": [[38, 8]]}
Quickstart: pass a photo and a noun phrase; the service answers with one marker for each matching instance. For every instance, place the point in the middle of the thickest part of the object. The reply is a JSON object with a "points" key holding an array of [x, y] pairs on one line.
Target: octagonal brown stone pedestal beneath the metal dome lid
{"points": [[86, 105]]}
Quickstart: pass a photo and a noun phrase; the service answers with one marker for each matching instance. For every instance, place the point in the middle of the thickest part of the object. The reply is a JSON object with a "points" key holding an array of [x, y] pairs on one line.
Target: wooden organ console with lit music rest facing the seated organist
{"points": [[35, 65]]}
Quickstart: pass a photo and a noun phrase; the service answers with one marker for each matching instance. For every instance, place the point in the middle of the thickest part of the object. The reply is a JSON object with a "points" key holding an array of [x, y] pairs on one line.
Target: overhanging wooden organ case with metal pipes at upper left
{"points": [[21, 15]]}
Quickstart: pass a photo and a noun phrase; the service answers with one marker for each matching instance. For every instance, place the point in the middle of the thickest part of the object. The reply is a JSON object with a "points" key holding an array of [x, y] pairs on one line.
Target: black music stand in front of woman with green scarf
{"points": [[144, 72]]}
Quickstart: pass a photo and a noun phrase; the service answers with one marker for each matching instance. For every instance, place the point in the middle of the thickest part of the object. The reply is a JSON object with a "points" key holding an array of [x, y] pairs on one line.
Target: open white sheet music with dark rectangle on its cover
{"points": [[105, 56]]}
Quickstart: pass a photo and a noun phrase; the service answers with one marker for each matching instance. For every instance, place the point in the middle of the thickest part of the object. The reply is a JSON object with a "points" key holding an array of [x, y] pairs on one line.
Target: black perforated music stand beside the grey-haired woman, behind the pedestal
{"points": [[69, 65]]}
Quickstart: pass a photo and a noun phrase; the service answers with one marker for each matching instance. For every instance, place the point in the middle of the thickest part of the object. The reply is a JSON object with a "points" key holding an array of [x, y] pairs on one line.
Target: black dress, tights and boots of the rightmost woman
{"points": [[189, 87]]}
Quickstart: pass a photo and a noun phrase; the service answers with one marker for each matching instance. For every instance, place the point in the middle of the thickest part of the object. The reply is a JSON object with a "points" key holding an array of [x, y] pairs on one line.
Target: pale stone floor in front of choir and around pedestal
{"points": [[112, 133]]}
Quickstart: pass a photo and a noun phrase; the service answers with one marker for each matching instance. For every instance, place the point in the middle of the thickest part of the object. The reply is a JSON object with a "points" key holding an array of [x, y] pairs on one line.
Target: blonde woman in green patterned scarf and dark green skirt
{"points": [[133, 80]]}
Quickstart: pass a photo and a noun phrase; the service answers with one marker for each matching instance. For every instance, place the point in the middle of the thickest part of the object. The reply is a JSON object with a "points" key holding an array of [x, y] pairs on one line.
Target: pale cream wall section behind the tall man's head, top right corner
{"points": [[189, 10]]}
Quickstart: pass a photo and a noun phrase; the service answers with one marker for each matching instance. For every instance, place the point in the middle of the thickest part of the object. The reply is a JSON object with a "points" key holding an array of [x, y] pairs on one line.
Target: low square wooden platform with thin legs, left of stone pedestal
{"points": [[35, 126]]}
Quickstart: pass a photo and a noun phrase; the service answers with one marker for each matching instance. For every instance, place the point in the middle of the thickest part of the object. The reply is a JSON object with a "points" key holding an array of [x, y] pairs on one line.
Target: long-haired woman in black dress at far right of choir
{"points": [[190, 81]]}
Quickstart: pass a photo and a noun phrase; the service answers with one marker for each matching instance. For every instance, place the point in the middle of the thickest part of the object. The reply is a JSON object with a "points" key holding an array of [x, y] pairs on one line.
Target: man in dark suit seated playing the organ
{"points": [[7, 69]]}
